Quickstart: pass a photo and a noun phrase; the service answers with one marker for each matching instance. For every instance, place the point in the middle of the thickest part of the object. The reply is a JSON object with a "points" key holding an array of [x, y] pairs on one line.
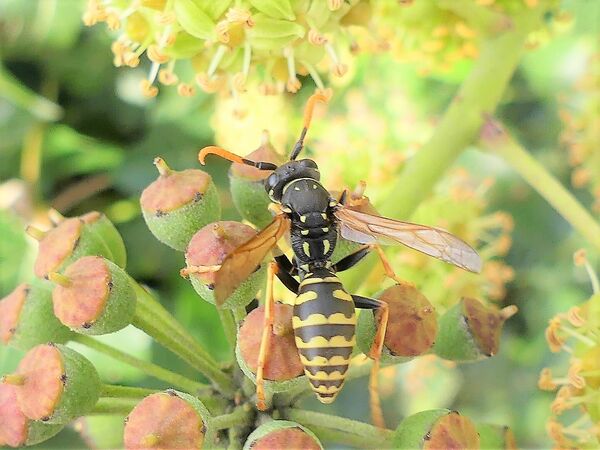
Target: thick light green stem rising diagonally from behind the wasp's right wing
{"points": [[459, 127]]}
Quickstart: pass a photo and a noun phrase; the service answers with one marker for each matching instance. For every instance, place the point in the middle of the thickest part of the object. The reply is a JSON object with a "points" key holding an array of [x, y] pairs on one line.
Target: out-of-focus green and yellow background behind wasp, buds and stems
{"points": [[77, 134]]}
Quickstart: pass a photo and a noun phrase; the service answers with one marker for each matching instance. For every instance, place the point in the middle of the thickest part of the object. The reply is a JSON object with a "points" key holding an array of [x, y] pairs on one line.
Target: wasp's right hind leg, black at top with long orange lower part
{"points": [[382, 314]]}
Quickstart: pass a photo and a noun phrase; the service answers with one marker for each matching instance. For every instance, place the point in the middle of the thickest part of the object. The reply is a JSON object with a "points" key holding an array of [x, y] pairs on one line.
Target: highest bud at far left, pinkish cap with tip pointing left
{"points": [[72, 238]]}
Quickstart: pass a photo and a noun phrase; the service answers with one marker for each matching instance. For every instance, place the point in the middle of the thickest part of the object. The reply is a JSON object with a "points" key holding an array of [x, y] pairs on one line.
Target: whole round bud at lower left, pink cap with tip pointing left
{"points": [[55, 384]]}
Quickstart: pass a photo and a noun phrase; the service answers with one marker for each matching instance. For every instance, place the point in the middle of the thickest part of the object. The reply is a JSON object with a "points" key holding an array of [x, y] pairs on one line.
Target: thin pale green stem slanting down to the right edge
{"points": [[494, 137]]}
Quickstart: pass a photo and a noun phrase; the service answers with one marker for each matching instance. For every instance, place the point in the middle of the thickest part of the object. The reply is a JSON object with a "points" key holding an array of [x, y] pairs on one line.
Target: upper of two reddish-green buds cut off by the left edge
{"points": [[27, 319]]}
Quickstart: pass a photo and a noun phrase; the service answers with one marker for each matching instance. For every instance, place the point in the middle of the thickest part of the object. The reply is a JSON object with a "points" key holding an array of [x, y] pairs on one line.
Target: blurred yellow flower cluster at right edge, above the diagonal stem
{"points": [[581, 132]]}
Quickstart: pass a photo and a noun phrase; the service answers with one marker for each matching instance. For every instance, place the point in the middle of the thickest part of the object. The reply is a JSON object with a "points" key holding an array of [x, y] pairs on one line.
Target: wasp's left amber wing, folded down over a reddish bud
{"points": [[244, 260]]}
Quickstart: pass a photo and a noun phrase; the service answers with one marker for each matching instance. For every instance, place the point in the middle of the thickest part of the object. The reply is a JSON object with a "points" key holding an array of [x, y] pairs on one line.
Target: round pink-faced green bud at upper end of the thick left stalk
{"points": [[94, 296]]}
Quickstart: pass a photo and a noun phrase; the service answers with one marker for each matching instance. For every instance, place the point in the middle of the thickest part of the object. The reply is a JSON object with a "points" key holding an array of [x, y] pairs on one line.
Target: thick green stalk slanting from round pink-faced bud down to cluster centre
{"points": [[145, 321]]}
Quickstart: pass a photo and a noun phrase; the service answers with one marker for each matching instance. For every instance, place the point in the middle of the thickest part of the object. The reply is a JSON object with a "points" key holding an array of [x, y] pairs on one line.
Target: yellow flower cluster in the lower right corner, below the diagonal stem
{"points": [[578, 333]]}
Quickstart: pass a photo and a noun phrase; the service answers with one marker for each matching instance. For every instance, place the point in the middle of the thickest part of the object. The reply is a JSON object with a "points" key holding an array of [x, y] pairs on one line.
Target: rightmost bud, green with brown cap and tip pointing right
{"points": [[470, 330]]}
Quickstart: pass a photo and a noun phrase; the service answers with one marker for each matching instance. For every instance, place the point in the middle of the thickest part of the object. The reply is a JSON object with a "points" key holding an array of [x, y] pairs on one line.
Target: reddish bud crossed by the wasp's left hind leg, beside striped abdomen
{"points": [[283, 368]]}
